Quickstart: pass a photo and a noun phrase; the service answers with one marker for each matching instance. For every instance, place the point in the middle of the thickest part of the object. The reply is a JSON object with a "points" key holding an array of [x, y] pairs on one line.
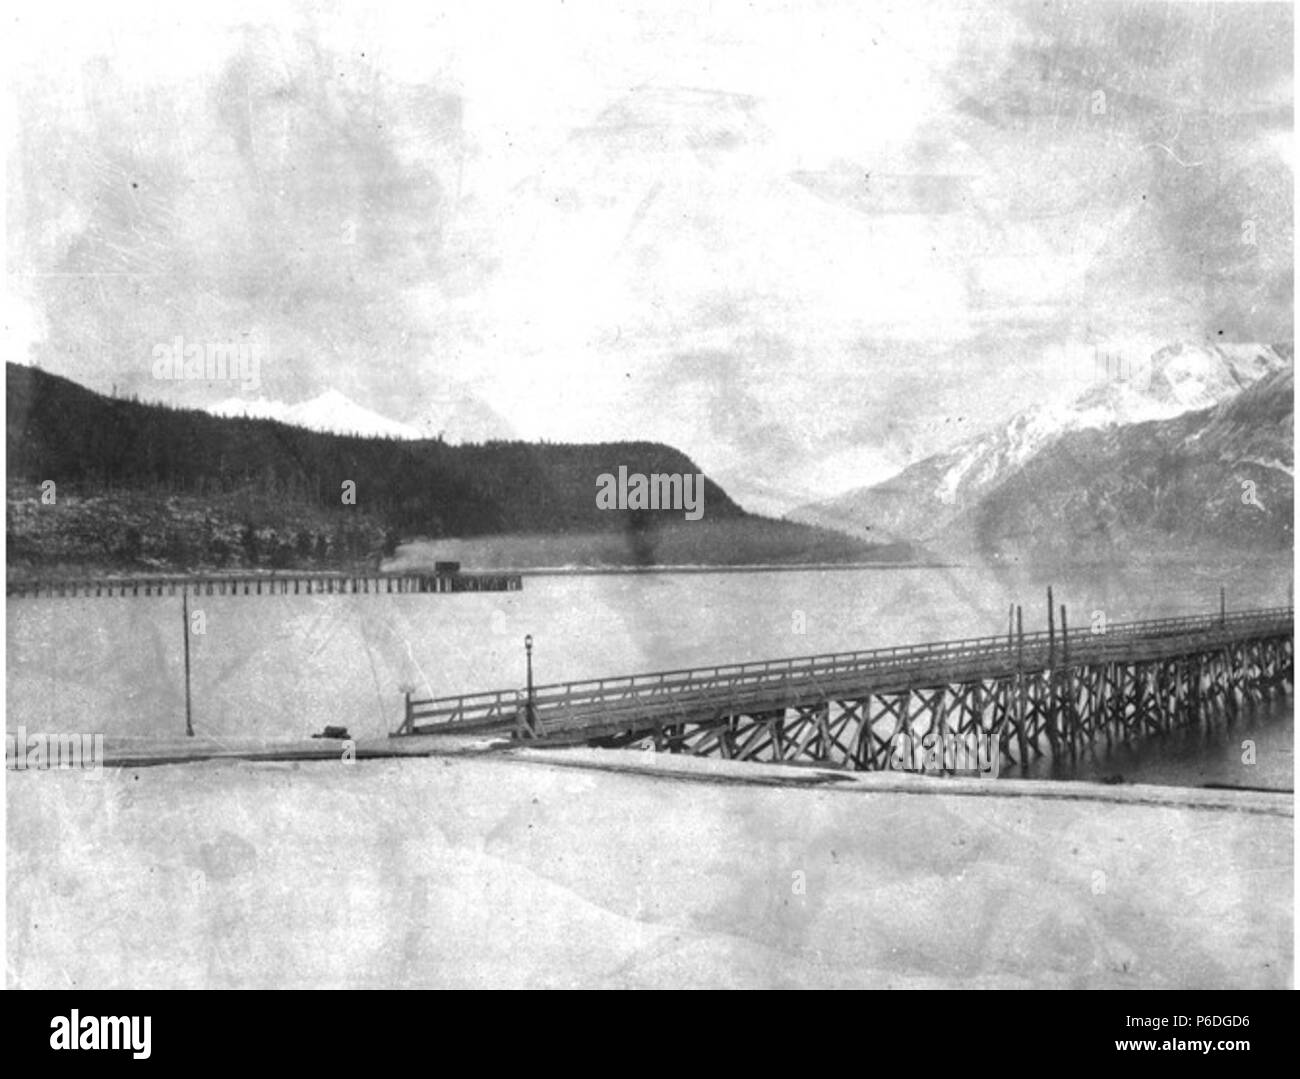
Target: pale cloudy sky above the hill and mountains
{"points": [[807, 244]]}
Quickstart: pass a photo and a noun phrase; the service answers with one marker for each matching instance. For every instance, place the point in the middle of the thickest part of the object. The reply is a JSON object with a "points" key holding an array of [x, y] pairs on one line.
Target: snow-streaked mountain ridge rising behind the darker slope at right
{"points": [[924, 500]]}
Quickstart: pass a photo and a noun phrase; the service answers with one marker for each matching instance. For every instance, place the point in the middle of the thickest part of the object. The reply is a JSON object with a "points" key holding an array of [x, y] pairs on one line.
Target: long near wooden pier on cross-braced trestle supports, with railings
{"points": [[1029, 695]]}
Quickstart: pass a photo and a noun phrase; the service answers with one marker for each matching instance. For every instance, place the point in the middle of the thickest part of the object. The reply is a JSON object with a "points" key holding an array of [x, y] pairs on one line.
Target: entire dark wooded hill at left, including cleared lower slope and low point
{"points": [[145, 484]]}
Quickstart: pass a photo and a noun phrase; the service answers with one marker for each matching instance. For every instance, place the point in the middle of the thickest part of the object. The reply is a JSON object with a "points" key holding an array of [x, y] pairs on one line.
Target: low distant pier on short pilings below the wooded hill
{"points": [[267, 584]]}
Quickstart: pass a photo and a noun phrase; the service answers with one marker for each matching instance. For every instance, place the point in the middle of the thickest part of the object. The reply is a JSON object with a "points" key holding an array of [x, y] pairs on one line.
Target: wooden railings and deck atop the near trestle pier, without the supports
{"points": [[782, 679]]}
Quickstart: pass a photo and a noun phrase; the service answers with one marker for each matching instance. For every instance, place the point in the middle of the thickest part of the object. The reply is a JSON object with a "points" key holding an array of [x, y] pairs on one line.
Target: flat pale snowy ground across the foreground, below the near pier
{"points": [[634, 870]]}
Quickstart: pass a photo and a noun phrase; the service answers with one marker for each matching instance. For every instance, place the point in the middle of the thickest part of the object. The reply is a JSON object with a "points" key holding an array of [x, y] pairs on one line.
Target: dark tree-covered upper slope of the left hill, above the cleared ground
{"points": [[63, 432]]}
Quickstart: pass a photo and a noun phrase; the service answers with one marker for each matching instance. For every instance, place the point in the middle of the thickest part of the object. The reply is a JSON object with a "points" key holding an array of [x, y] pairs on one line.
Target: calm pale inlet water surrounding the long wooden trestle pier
{"points": [[288, 666]]}
